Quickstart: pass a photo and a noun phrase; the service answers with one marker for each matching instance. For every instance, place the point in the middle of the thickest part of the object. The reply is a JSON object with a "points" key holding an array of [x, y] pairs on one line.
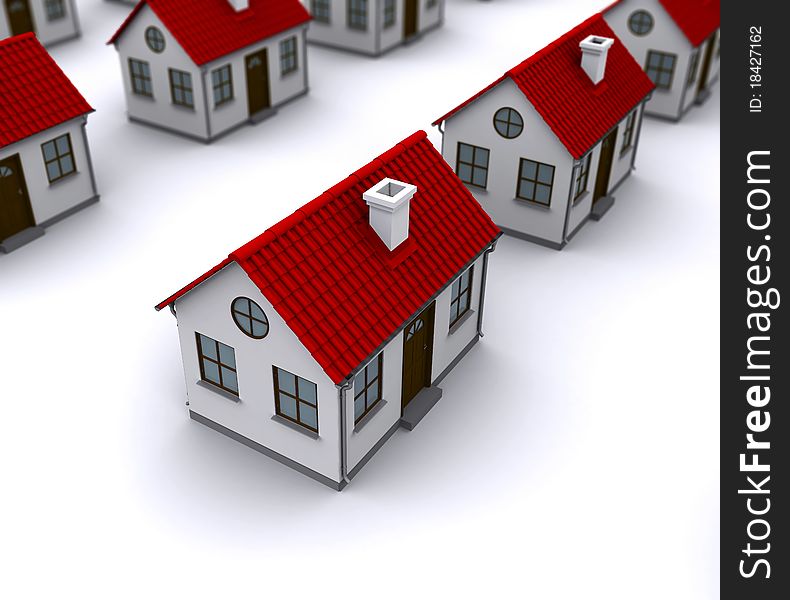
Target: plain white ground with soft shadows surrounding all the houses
{"points": [[574, 453]]}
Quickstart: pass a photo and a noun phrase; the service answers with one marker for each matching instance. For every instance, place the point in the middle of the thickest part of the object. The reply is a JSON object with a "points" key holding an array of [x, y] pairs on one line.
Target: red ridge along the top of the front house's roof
{"points": [[300, 214]]}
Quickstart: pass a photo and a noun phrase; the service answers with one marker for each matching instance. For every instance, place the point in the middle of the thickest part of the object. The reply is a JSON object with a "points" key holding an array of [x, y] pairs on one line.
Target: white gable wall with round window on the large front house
{"points": [[206, 309]]}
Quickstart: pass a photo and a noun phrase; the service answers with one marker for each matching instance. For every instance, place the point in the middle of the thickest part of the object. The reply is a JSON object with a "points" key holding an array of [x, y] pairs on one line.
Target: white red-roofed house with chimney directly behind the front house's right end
{"points": [[544, 146]]}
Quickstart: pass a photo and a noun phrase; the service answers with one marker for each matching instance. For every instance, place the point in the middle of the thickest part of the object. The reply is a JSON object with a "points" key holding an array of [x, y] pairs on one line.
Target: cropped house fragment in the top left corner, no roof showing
{"points": [[51, 20]]}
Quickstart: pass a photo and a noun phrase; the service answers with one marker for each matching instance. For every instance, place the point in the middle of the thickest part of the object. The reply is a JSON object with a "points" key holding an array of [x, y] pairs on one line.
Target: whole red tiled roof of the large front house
{"points": [[332, 279]]}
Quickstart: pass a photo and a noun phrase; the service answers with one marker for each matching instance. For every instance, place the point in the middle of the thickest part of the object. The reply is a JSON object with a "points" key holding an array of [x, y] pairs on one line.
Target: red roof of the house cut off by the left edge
{"points": [[34, 93]]}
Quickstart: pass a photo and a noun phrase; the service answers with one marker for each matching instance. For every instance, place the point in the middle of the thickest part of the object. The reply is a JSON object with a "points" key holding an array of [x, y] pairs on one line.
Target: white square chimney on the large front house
{"points": [[389, 210]]}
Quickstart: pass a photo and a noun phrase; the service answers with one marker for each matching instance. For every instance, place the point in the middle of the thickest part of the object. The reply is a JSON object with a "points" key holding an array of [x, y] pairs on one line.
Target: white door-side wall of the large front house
{"points": [[446, 347]]}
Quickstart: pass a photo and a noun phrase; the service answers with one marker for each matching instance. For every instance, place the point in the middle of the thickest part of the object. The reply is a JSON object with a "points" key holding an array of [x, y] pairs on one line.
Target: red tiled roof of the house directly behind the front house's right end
{"points": [[579, 112]]}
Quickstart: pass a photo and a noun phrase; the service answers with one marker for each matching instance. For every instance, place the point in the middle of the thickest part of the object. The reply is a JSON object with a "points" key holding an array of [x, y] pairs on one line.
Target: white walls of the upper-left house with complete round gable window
{"points": [[161, 111]]}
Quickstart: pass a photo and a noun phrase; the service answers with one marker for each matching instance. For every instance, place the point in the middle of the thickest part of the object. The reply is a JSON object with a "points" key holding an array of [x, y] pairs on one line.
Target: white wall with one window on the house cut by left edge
{"points": [[49, 200]]}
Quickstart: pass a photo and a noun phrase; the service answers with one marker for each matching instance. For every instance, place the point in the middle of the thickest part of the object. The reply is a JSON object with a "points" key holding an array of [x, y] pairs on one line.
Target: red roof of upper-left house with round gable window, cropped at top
{"points": [[211, 29]]}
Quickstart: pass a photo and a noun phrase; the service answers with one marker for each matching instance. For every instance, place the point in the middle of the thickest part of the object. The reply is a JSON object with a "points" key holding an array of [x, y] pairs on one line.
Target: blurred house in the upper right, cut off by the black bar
{"points": [[677, 42]]}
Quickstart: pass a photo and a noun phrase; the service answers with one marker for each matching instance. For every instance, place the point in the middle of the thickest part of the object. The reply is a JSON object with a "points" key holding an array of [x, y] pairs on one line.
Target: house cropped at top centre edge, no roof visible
{"points": [[372, 26]]}
